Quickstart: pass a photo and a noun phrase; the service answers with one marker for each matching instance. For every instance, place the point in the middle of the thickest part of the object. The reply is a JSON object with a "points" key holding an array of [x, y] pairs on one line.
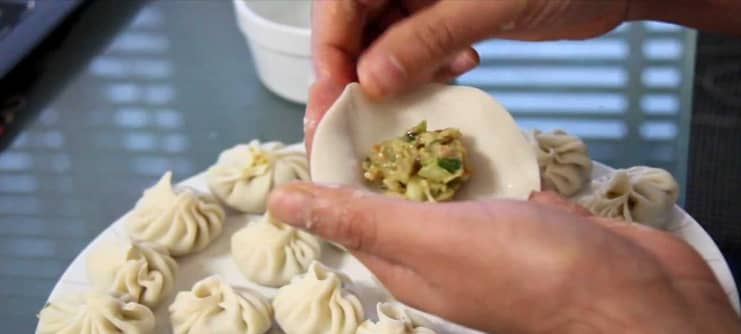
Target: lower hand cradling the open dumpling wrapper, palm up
{"points": [[505, 266]]}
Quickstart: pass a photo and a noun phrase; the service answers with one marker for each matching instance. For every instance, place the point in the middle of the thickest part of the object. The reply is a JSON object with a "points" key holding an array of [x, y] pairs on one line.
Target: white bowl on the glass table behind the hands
{"points": [[279, 37]]}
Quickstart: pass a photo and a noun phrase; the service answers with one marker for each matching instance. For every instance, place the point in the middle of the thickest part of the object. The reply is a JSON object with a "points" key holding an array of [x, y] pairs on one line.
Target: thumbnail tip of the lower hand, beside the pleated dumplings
{"points": [[290, 204]]}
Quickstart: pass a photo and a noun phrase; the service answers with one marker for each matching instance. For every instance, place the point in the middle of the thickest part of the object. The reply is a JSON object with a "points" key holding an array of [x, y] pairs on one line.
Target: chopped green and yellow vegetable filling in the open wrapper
{"points": [[420, 165]]}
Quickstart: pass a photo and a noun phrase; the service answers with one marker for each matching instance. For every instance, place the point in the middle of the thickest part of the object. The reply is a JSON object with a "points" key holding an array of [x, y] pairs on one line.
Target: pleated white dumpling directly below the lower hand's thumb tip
{"points": [[269, 252]]}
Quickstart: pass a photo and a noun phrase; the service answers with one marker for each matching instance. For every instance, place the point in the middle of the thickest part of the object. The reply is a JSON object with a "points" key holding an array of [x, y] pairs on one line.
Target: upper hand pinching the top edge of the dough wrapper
{"points": [[390, 46]]}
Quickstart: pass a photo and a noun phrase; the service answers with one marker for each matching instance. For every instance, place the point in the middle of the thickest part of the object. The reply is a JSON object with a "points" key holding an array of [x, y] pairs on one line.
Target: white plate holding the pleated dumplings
{"points": [[216, 259]]}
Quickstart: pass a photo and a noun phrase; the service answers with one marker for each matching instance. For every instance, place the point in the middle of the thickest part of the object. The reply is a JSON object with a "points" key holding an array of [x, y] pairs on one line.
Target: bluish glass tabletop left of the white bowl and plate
{"points": [[174, 87]]}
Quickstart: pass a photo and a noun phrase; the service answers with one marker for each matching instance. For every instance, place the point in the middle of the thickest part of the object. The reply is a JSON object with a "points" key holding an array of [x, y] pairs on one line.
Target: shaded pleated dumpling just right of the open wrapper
{"points": [[563, 160]]}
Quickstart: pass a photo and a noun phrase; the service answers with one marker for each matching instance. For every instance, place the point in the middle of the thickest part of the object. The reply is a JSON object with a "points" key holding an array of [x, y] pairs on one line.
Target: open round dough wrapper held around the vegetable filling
{"points": [[501, 161]]}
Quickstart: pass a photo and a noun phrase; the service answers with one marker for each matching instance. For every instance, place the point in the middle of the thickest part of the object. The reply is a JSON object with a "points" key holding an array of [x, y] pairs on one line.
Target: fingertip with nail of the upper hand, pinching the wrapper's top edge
{"points": [[382, 75]]}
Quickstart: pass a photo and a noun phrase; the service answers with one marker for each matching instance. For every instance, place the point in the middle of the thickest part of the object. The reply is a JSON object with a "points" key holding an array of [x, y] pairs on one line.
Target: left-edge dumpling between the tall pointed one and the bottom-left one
{"points": [[141, 273]]}
